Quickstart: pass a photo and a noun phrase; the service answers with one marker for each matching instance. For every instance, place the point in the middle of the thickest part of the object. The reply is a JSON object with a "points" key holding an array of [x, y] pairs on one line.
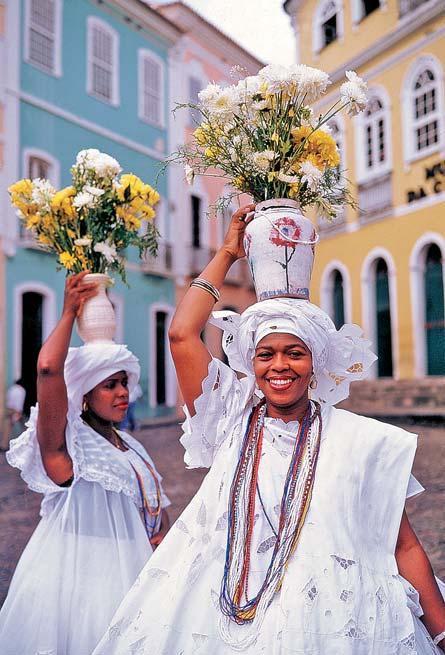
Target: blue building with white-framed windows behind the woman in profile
{"points": [[87, 74]]}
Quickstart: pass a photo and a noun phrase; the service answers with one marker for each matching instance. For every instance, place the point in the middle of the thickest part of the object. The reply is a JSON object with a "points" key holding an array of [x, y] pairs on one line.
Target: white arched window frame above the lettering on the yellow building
{"points": [[411, 153]]}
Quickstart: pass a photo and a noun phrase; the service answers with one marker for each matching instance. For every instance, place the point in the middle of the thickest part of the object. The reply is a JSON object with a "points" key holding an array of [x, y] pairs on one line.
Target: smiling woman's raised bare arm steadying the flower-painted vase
{"points": [[190, 355]]}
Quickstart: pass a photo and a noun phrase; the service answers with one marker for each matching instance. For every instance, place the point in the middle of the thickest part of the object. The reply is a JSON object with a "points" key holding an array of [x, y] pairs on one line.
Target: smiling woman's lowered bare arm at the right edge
{"points": [[414, 565]]}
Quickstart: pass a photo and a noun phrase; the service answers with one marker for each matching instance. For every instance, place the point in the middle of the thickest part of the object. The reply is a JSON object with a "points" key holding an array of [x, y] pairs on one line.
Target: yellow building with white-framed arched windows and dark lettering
{"points": [[382, 266]]}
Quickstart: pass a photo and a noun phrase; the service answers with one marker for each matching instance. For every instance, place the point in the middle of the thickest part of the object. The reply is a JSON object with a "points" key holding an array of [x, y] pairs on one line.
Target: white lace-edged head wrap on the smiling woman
{"points": [[338, 356]]}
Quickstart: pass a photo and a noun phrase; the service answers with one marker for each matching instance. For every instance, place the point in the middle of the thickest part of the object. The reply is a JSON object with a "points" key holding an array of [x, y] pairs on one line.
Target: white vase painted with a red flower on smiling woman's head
{"points": [[280, 246]]}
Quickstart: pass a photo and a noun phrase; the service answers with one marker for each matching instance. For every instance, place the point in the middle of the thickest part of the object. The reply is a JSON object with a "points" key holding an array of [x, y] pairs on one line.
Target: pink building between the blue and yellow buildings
{"points": [[203, 55]]}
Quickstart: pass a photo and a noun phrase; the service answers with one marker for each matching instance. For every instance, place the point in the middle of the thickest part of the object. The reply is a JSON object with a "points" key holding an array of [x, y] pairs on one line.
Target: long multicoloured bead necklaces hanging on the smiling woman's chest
{"points": [[234, 602]]}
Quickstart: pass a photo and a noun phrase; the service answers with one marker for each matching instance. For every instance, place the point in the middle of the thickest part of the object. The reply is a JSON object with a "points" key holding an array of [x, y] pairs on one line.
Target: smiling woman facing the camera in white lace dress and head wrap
{"points": [[297, 540]]}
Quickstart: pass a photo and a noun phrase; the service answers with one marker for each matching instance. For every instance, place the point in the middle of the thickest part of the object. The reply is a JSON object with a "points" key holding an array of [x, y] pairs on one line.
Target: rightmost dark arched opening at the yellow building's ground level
{"points": [[434, 311]]}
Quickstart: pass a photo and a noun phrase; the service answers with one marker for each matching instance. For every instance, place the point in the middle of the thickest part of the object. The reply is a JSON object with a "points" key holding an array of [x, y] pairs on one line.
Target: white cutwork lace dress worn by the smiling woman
{"points": [[342, 593]]}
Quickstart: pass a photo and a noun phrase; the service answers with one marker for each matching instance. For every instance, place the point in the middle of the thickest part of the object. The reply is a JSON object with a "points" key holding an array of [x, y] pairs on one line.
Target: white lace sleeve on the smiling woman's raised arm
{"points": [[218, 408]]}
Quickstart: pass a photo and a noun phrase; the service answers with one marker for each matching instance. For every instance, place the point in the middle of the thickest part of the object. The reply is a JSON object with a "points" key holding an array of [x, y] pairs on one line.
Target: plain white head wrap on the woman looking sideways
{"points": [[88, 365]]}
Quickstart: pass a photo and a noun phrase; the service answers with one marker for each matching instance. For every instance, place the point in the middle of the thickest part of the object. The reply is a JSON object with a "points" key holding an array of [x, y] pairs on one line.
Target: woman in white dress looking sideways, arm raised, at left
{"points": [[102, 497]]}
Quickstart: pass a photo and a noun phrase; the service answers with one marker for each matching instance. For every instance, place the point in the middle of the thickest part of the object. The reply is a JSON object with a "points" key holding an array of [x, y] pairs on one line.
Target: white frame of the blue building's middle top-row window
{"points": [[92, 23]]}
